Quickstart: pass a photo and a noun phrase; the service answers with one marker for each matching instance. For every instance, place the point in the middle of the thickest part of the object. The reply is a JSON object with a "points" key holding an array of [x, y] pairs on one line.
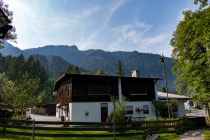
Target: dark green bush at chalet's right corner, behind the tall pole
{"points": [[163, 110]]}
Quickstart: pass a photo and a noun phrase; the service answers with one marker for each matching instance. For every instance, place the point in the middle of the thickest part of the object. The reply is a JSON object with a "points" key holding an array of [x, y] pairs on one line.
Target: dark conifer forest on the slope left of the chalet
{"points": [[19, 69]]}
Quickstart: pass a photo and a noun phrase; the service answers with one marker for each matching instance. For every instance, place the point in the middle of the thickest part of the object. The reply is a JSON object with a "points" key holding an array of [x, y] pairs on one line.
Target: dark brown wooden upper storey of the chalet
{"points": [[93, 88]]}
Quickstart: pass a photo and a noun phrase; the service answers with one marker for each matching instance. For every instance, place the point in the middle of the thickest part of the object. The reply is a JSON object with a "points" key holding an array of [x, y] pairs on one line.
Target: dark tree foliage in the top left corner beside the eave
{"points": [[7, 31]]}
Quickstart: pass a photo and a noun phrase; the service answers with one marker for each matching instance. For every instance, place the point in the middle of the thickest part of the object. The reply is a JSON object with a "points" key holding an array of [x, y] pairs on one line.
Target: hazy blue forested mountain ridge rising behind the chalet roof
{"points": [[148, 64]]}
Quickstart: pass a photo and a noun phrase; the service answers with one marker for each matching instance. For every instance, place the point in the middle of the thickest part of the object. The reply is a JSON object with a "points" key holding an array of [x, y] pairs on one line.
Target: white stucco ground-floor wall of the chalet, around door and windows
{"points": [[79, 109]]}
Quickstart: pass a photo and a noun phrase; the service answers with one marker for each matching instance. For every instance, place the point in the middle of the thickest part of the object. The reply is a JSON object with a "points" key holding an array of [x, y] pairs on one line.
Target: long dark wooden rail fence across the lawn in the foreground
{"points": [[67, 129]]}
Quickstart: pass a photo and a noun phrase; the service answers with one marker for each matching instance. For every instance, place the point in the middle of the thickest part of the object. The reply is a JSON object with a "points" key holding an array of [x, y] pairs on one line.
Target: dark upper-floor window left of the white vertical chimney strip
{"points": [[98, 90]]}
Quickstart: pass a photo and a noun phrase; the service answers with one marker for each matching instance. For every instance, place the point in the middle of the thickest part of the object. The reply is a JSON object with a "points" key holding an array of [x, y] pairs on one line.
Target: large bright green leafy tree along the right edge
{"points": [[191, 53]]}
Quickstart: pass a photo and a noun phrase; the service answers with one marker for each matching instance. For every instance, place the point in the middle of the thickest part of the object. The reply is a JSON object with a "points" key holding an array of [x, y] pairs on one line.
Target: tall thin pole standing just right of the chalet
{"points": [[162, 60]]}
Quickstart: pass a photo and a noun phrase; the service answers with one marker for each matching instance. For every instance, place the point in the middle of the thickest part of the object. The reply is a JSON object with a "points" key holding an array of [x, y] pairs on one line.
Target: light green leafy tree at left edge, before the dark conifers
{"points": [[21, 94]]}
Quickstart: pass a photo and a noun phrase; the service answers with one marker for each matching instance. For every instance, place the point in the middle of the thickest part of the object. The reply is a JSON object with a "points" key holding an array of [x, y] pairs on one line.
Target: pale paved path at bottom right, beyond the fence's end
{"points": [[193, 135]]}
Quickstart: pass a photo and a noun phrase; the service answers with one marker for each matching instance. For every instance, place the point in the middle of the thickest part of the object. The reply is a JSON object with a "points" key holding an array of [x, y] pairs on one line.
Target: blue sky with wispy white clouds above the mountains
{"points": [[111, 25]]}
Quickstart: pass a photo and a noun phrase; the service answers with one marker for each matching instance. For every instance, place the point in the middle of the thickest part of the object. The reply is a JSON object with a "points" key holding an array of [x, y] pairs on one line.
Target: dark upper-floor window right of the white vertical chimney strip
{"points": [[137, 90]]}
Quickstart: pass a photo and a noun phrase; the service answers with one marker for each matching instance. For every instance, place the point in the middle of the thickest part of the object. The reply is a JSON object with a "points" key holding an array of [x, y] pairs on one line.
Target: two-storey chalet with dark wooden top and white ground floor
{"points": [[87, 98]]}
